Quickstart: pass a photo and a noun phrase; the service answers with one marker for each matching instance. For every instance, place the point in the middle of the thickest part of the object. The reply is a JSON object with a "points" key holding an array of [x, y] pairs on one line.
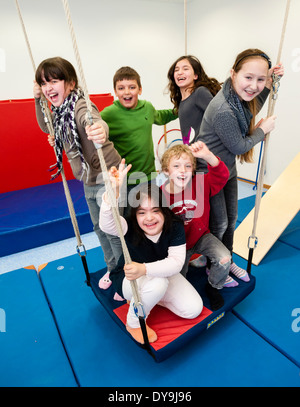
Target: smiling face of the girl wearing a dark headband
{"points": [[250, 80]]}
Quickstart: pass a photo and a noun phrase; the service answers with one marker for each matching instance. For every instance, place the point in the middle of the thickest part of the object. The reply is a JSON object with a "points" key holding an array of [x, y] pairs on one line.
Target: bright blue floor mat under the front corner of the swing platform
{"points": [[227, 354]]}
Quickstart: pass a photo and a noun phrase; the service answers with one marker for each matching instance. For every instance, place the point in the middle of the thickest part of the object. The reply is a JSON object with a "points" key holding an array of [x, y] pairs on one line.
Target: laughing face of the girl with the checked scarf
{"points": [[56, 90]]}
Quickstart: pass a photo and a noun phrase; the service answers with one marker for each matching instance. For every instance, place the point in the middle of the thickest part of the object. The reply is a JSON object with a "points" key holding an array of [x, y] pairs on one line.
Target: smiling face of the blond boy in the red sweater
{"points": [[180, 172]]}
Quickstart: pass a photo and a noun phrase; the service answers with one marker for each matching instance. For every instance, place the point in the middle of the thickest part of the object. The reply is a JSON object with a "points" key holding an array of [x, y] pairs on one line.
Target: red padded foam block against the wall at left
{"points": [[27, 161]]}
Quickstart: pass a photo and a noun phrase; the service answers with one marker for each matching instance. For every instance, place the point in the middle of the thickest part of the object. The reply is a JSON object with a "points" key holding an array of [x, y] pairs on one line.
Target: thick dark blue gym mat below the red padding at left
{"points": [[37, 216]]}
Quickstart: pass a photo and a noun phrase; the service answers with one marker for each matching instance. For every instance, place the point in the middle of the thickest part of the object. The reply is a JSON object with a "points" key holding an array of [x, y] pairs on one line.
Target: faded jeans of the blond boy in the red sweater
{"points": [[219, 257]]}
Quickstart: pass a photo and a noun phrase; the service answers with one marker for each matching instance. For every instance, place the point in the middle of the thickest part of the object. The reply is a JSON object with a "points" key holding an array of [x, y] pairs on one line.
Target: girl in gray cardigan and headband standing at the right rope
{"points": [[228, 129]]}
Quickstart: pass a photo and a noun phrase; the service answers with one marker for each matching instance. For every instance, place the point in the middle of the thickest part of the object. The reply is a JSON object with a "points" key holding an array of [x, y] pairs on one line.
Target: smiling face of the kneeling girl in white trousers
{"points": [[149, 217]]}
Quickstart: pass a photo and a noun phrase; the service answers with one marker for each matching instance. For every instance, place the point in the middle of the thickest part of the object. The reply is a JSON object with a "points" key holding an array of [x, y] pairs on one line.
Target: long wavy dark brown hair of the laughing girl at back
{"points": [[203, 80]]}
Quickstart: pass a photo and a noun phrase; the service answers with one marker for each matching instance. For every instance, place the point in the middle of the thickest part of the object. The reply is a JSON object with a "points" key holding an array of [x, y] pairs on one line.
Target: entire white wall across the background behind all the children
{"points": [[149, 35]]}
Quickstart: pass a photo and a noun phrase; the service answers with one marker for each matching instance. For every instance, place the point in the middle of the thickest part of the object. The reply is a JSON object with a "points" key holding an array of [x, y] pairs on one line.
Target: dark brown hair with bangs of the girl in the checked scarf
{"points": [[56, 68]]}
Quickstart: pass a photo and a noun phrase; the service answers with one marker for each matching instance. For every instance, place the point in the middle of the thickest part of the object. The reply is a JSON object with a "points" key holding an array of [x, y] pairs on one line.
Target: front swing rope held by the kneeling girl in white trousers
{"points": [[109, 189]]}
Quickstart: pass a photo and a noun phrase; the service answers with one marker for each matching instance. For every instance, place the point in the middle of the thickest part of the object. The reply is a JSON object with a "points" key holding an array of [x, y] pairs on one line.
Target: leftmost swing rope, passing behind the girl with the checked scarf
{"points": [[48, 120]]}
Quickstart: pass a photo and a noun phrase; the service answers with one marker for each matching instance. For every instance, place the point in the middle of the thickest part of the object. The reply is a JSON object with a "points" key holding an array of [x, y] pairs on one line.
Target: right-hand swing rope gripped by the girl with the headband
{"points": [[271, 107]]}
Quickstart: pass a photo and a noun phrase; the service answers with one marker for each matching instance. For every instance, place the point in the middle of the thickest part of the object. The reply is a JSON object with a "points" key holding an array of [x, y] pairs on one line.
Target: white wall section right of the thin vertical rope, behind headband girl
{"points": [[218, 30]]}
